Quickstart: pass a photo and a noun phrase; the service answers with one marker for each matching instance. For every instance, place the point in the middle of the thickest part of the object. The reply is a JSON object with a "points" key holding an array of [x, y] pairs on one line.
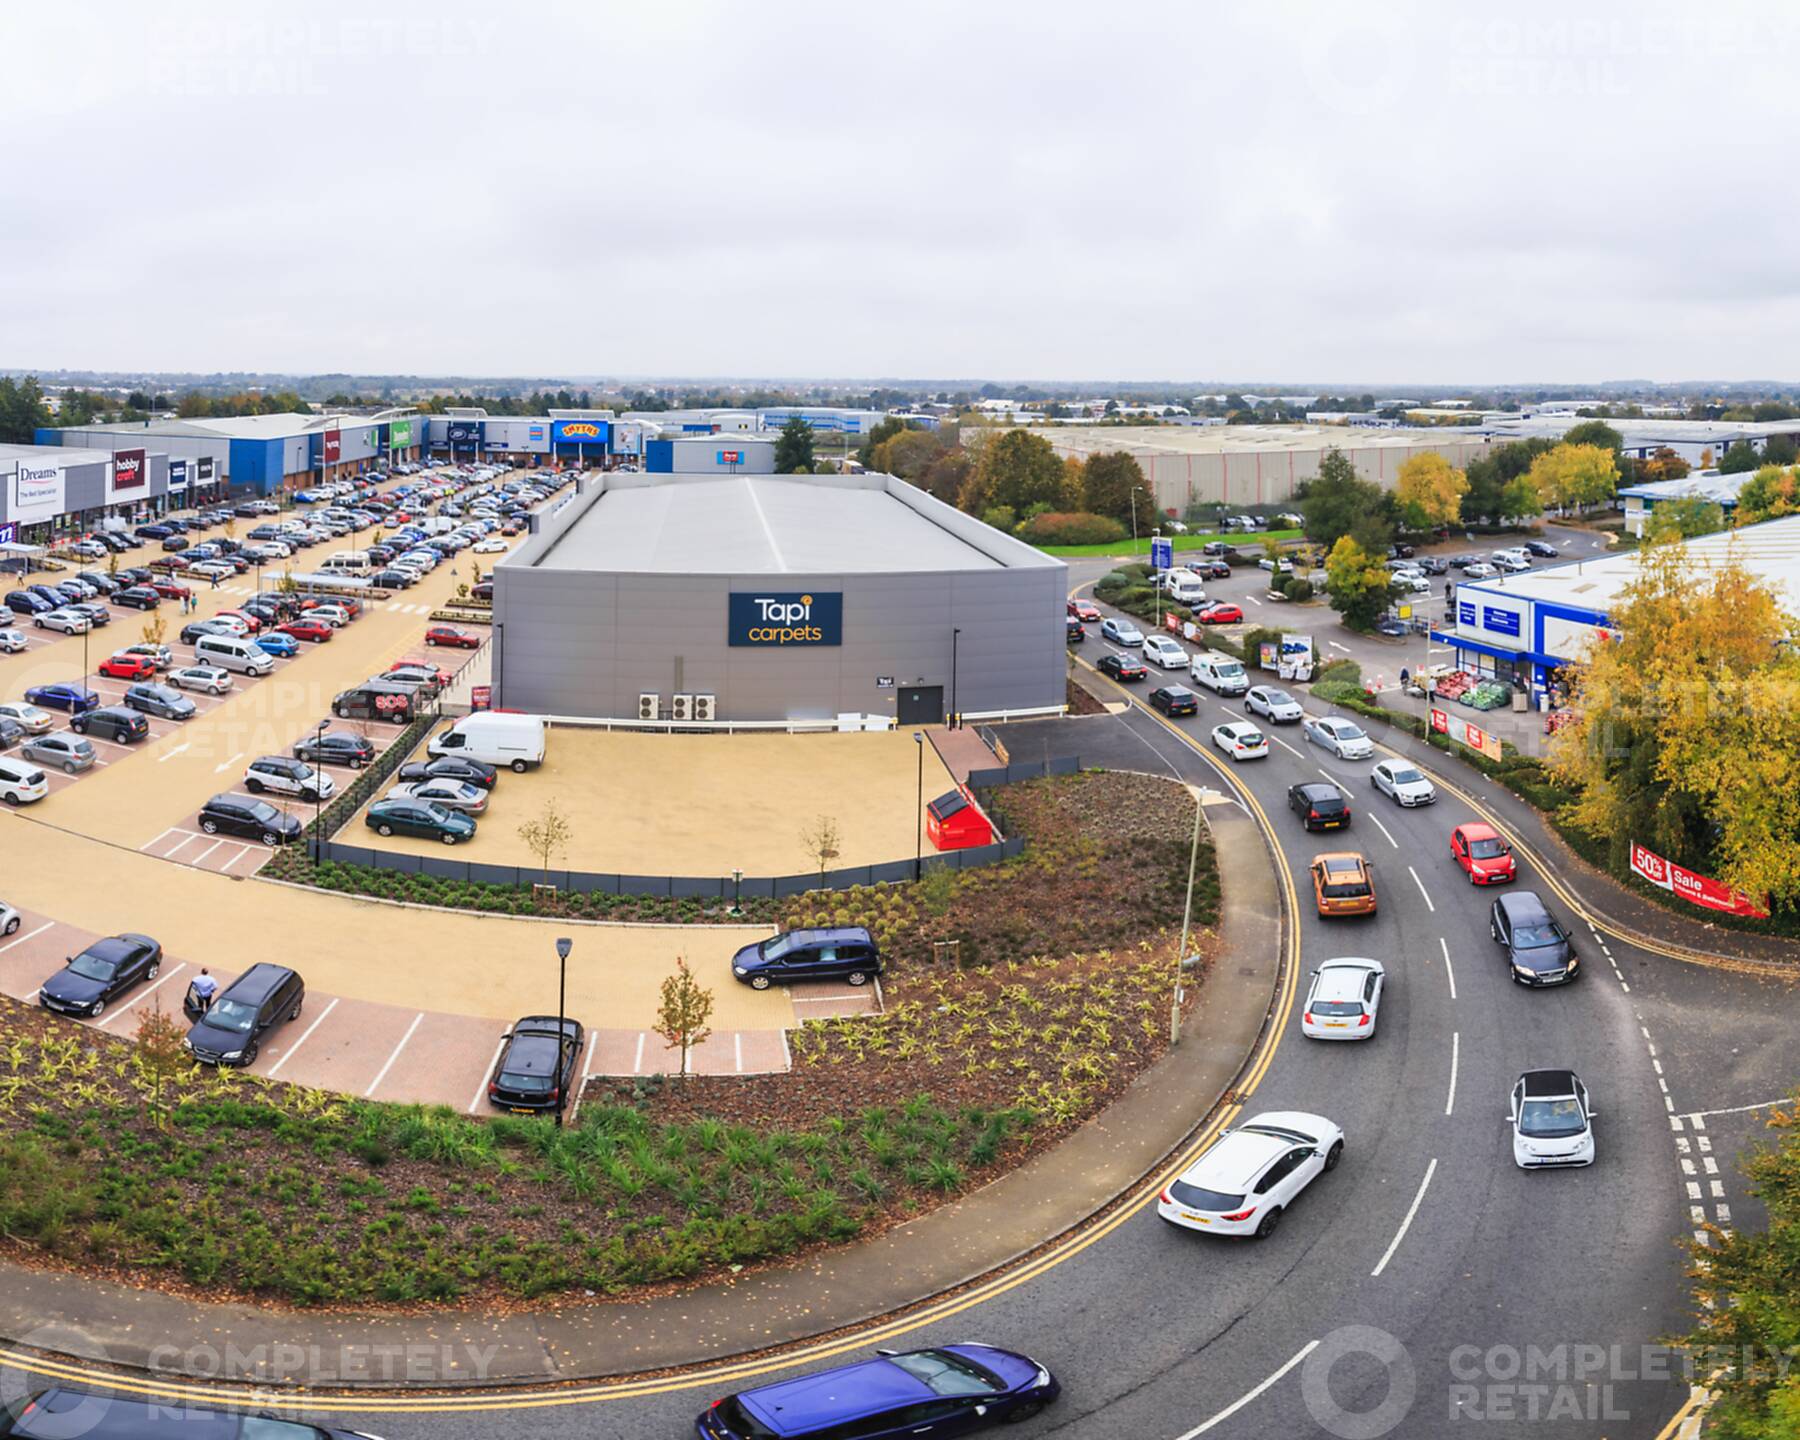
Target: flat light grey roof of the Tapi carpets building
{"points": [[760, 525]]}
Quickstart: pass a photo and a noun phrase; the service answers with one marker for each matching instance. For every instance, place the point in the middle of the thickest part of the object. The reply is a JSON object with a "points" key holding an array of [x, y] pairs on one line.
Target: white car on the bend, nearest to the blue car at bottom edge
{"points": [[1252, 1174]]}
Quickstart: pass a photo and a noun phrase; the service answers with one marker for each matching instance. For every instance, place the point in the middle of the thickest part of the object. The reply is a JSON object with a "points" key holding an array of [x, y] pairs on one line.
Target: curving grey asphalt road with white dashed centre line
{"points": [[1426, 1286]]}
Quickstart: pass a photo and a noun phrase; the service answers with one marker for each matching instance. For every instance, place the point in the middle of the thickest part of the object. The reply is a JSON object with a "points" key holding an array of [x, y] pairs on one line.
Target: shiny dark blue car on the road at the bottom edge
{"points": [[951, 1390]]}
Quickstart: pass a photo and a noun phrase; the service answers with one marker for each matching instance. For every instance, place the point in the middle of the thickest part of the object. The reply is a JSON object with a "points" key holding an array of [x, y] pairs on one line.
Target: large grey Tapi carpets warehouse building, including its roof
{"points": [[757, 598]]}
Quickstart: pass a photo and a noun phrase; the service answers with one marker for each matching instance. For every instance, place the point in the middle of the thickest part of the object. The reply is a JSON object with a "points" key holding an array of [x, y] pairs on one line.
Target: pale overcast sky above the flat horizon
{"points": [[1023, 192]]}
